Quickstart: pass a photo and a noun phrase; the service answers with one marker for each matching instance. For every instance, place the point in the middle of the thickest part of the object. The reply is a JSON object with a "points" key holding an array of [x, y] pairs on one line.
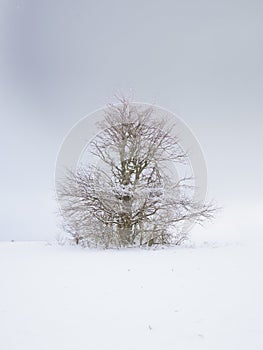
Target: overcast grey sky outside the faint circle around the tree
{"points": [[60, 60]]}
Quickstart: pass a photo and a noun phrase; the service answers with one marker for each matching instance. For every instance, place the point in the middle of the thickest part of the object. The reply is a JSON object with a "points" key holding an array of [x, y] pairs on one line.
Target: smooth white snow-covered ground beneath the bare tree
{"points": [[208, 296]]}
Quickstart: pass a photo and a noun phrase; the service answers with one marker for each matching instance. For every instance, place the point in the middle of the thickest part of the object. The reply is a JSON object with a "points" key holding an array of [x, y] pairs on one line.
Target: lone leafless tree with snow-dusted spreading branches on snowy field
{"points": [[129, 197]]}
